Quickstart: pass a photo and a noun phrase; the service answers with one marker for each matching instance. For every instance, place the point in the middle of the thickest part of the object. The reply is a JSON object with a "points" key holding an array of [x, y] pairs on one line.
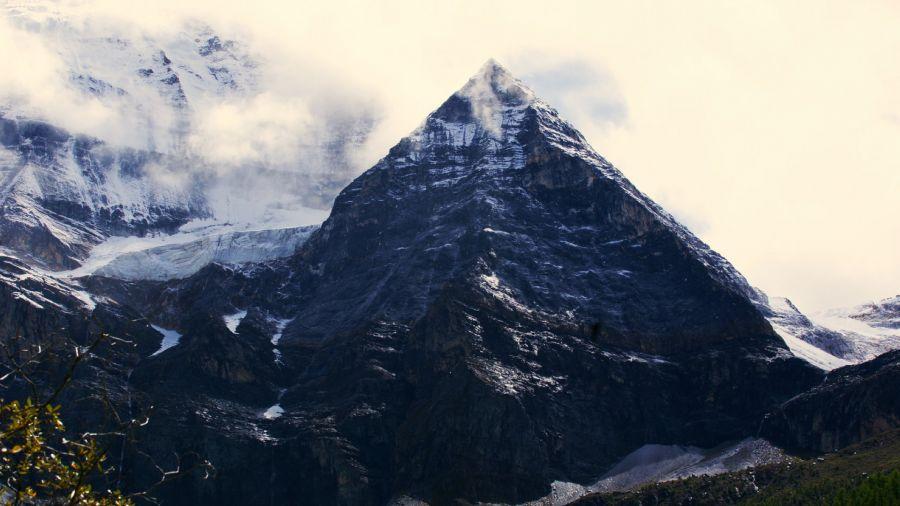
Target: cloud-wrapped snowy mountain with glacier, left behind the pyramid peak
{"points": [[62, 192]]}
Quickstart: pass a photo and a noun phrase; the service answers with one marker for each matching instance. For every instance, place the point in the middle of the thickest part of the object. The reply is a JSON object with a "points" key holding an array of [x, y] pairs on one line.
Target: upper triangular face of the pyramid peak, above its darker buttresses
{"points": [[495, 185]]}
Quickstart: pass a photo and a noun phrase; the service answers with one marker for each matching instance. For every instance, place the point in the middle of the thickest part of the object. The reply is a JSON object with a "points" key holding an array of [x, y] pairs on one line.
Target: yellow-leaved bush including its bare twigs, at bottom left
{"points": [[42, 463]]}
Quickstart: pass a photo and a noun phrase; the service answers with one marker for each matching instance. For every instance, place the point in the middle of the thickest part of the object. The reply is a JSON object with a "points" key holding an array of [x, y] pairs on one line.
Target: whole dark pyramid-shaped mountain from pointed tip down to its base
{"points": [[510, 311]]}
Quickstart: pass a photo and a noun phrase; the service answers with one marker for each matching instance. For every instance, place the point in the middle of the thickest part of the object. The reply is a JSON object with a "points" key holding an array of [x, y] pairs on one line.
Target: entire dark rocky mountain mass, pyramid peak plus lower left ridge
{"points": [[489, 309]]}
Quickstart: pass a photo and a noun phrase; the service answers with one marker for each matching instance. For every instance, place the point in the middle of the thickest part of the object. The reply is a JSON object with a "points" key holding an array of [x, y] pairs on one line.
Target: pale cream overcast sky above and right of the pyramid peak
{"points": [[771, 129]]}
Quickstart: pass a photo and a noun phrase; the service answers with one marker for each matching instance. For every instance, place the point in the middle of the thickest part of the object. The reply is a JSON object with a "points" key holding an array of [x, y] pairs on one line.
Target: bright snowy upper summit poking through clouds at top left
{"points": [[157, 84]]}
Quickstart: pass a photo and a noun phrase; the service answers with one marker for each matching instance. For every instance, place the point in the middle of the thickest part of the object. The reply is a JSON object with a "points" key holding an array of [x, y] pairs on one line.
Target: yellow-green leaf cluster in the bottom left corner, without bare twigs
{"points": [[38, 464]]}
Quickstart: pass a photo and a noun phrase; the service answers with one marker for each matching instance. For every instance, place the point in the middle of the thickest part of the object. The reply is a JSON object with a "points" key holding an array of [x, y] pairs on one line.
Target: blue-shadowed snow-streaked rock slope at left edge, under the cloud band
{"points": [[62, 193]]}
